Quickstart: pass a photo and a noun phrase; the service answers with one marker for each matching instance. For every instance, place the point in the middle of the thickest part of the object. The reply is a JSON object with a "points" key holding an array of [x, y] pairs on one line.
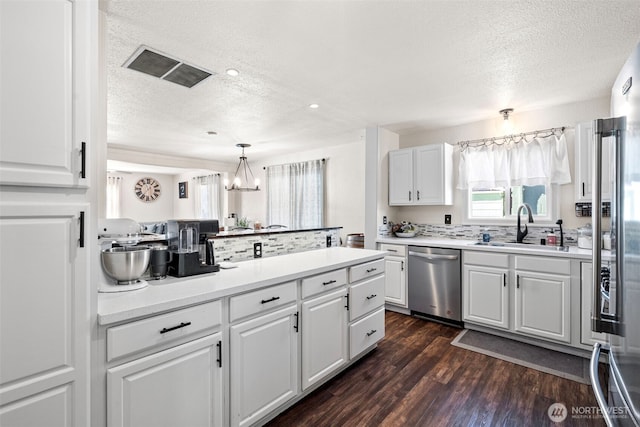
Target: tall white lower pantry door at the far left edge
{"points": [[43, 311]]}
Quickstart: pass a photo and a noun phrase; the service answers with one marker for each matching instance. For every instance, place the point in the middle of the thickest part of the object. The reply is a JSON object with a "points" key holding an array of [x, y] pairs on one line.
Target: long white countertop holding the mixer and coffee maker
{"points": [[172, 292]]}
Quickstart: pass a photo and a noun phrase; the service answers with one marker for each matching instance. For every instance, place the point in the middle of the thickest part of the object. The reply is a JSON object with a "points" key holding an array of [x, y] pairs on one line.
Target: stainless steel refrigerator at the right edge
{"points": [[616, 293]]}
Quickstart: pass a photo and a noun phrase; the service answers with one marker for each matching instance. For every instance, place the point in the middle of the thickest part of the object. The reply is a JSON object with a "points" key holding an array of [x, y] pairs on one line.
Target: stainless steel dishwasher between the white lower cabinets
{"points": [[434, 283]]}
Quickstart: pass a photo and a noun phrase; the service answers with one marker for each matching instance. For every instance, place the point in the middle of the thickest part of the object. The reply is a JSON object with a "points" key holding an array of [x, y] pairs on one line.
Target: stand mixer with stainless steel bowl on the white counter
{"points": [[123, 260]]}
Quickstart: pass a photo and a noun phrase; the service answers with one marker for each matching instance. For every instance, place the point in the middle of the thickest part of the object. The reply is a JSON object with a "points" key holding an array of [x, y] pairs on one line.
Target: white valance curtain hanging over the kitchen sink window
{"points": [[542, 161]]}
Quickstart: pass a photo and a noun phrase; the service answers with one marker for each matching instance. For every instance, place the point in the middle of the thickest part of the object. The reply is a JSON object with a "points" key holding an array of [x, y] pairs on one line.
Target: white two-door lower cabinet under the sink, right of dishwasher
{"points": [[525, 294]]}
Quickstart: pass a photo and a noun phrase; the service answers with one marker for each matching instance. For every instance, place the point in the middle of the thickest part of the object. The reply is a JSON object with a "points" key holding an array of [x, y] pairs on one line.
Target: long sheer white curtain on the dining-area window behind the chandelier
{"points": [[295, 194]]}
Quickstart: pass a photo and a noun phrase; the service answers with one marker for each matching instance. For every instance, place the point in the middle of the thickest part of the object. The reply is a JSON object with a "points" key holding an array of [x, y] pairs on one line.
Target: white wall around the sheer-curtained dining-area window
{"points": [[345, 169]]}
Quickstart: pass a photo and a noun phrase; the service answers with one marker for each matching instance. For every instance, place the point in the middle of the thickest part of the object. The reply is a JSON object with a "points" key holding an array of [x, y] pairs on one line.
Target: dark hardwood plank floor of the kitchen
{"points": [[417, 378]]}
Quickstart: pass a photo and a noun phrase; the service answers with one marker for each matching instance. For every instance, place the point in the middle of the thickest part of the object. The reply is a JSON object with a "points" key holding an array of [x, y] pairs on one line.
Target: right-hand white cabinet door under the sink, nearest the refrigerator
{"points": [[542, 305]]}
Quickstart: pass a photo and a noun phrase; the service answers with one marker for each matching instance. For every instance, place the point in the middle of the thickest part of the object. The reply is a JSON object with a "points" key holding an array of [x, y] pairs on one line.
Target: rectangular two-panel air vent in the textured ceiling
{"points": [[156, 64]]}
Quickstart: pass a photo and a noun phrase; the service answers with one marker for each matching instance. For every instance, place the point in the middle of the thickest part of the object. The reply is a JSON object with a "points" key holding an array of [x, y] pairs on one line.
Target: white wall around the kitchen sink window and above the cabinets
{"points": [[563, 115]]}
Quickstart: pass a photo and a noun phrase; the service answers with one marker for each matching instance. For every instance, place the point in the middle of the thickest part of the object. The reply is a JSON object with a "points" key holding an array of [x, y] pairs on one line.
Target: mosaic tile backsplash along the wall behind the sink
{"points": [[497, 232]]}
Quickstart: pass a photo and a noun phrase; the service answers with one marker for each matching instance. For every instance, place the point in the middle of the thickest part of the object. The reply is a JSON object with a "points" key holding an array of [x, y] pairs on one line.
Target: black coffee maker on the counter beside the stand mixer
{"points": [[190, 247]]}
